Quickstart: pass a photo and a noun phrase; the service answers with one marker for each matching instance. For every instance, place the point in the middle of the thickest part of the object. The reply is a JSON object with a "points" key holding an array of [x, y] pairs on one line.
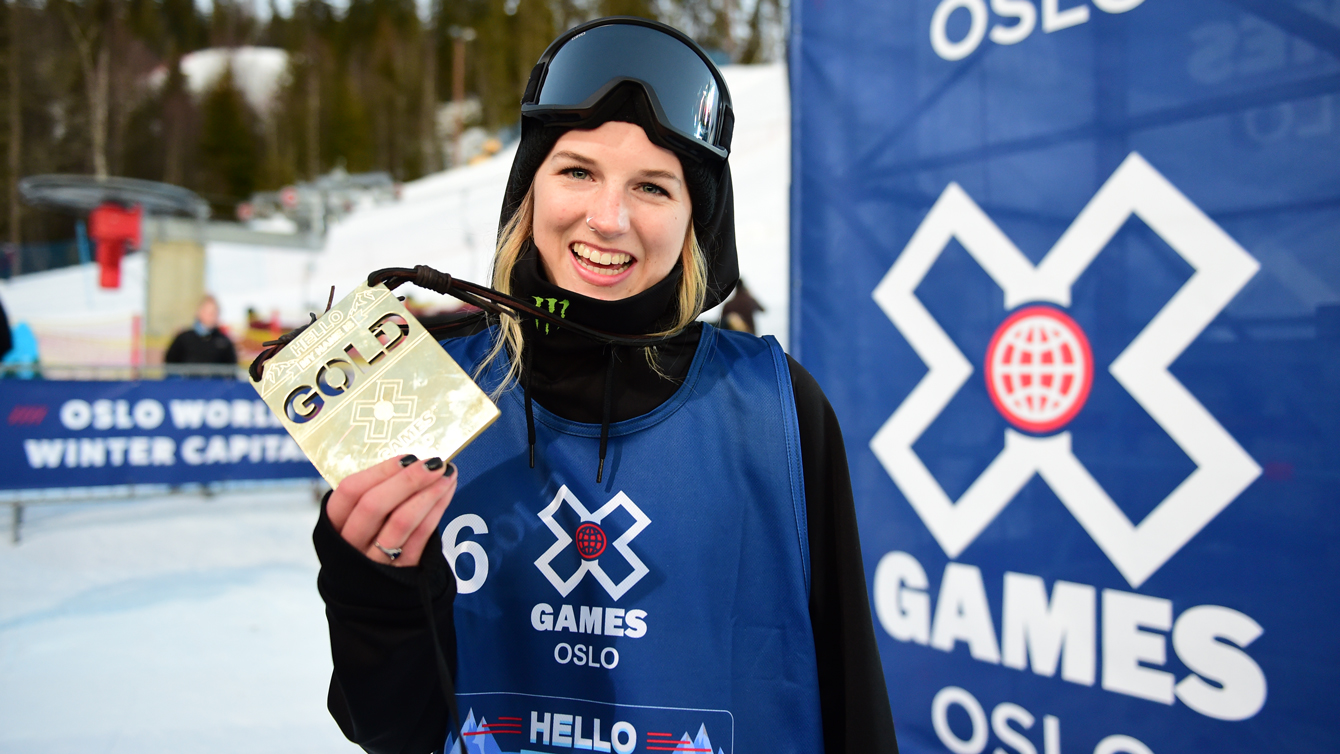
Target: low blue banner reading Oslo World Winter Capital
{"points": [[74, 435]]}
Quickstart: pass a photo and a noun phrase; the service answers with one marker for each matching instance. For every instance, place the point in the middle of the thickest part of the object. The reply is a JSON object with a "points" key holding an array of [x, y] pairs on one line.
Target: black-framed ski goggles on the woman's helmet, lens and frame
{"points": [[688, 96]]}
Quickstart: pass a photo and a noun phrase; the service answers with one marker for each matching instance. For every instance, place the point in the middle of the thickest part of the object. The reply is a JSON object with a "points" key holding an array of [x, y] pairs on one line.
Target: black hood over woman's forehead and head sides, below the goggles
{"points": [[710, 184]]}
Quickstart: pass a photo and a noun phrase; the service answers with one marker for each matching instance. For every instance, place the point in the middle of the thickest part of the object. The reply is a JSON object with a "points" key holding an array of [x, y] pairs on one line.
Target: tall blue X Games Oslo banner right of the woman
{"points": [[1067, 271]]}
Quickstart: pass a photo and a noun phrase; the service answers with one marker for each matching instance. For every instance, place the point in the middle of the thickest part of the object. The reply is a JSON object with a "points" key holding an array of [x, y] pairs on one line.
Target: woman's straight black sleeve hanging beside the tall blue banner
{"points": [[853, 696]]}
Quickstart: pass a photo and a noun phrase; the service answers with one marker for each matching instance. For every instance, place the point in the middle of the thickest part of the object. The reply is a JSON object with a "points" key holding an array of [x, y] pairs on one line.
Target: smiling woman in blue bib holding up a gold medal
{"points": [[652, 542]]}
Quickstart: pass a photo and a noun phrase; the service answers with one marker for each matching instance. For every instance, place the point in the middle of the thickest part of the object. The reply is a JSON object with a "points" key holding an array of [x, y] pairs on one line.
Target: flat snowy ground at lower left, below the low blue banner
{"points": [[171, 625]]}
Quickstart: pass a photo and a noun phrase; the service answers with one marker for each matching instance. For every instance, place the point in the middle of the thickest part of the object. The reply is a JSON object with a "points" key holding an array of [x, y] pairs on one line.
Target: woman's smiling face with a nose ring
{"points": [[612, 212]]}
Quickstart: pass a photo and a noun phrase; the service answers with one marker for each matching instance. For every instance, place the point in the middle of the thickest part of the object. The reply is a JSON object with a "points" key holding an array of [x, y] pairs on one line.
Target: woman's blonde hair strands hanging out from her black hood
{"points": [[692, 294]]}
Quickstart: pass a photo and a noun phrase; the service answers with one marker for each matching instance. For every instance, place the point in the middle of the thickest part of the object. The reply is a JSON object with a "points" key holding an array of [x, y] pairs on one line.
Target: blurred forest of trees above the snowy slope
{"points": [[365, 85]]}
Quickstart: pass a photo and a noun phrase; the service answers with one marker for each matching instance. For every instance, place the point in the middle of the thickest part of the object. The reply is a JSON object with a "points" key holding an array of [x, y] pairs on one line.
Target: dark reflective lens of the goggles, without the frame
{"points": [[683, 82]]}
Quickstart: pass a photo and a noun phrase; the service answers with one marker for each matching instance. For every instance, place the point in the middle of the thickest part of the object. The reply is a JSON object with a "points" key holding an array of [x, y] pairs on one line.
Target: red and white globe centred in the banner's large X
{"points": [[1039, 369]]}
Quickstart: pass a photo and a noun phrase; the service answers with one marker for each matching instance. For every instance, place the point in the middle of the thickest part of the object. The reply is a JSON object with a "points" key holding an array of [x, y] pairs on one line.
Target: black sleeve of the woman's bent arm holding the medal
{"points": [[385, 692]]}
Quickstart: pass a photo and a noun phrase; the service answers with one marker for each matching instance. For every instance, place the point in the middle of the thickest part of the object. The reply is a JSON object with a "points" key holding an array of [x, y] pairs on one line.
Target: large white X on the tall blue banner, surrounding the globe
{"points": [[1221, 270]]}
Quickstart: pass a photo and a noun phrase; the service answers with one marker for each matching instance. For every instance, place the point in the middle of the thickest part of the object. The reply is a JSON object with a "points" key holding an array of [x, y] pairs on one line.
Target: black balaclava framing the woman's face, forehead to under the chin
{"points": [[714, 223]]}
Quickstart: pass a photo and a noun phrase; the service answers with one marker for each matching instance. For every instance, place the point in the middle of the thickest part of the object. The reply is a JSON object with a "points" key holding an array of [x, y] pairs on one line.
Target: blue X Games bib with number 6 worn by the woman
{"points": [[663, 610]]}
